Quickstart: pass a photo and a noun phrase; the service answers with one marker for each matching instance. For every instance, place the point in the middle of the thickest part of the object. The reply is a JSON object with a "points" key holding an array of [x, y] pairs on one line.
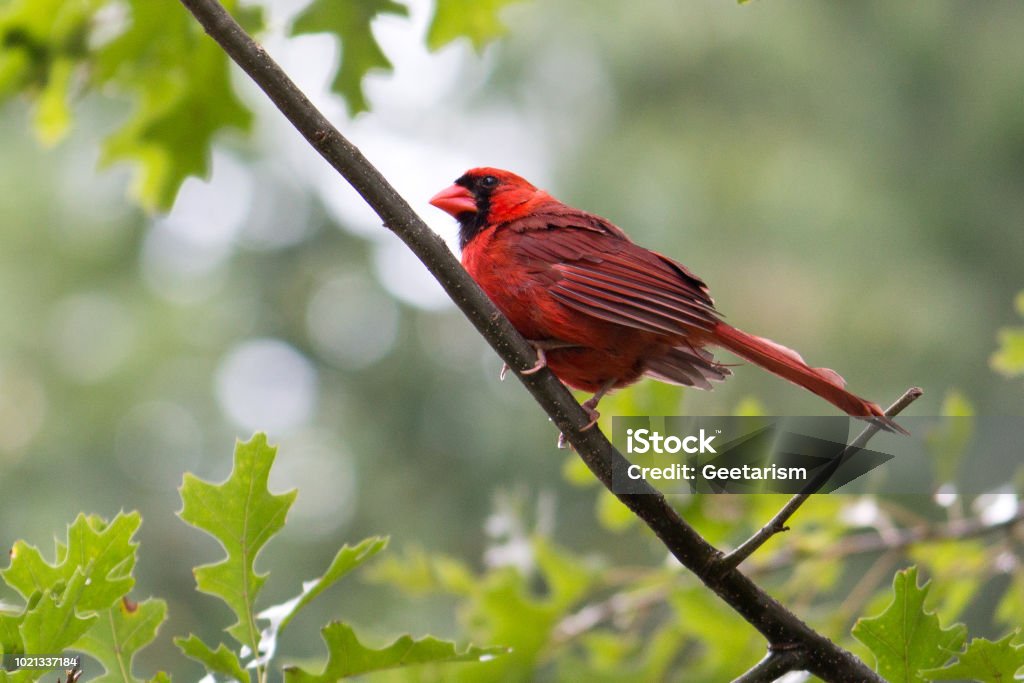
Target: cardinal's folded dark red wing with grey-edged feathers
{"points": [[593, 269]]}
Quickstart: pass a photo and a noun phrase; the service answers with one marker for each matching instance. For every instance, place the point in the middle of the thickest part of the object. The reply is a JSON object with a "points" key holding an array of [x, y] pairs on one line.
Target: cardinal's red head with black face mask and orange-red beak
{"points": [[485, 197]]}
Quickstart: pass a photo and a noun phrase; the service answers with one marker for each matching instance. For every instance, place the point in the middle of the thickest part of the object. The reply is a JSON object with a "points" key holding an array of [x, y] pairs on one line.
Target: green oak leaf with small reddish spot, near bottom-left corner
{"points": [[119, 634]]}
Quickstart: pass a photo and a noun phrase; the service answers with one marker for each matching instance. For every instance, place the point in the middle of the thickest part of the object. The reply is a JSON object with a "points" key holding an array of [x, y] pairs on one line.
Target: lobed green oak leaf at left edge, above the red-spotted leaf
{"points": [[103, 554]]}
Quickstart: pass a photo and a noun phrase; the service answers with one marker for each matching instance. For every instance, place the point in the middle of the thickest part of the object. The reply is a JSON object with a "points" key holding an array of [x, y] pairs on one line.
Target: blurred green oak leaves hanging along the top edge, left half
{"points": [[178, 80]]}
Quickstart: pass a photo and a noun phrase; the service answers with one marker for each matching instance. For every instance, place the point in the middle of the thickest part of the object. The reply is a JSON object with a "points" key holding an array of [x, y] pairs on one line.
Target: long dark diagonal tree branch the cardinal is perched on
{"points": [[781, 627]]}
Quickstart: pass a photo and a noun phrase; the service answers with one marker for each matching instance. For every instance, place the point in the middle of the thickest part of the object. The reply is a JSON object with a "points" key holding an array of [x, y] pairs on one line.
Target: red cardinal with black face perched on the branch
{"points": [[602, 311]]}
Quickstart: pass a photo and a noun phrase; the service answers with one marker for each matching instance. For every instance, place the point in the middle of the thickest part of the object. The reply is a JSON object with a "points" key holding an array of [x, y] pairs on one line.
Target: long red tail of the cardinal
{"points": [[787, 364]]}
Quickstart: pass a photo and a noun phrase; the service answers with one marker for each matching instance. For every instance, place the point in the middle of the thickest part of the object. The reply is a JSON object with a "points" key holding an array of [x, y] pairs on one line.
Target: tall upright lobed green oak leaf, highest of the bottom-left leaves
{"points": [[243, 516]]}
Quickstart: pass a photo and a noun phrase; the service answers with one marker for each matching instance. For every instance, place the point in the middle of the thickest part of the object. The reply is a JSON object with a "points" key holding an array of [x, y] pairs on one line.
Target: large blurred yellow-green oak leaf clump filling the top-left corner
{"points": [[162, 60]]}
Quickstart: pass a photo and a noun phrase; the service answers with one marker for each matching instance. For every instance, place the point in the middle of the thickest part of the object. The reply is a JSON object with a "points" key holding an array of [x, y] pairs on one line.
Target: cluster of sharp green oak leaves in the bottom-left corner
{"points": [[80, 603]]}
